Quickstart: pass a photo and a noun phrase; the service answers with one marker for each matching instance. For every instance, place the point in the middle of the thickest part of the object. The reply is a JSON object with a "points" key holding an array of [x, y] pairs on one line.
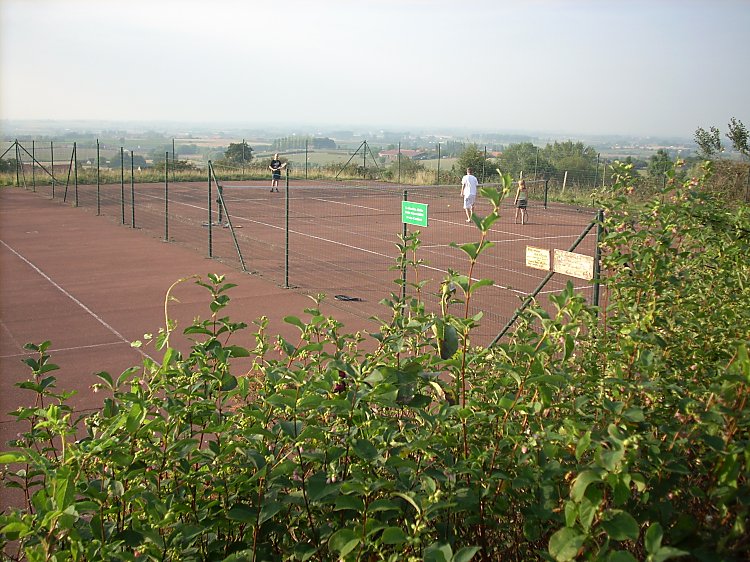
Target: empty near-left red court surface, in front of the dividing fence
{"points": [[91, 287]]}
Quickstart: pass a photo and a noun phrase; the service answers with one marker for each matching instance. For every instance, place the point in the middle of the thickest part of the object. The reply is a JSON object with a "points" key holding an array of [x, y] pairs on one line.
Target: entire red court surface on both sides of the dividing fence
{"points": [[91, 284]]}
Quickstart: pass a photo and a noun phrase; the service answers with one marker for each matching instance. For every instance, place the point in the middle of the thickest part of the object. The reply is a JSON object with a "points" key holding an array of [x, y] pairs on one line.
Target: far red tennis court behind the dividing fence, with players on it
{"points": [[339, 238]]}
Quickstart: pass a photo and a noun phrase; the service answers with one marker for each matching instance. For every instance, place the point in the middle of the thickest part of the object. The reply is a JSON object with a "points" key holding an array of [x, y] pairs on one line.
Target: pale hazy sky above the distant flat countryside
{"points": [[647, 67]]}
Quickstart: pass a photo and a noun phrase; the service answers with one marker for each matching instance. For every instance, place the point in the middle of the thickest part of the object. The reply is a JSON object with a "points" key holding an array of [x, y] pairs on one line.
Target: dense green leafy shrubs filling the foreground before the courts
{"points": [[617, 434]]}
